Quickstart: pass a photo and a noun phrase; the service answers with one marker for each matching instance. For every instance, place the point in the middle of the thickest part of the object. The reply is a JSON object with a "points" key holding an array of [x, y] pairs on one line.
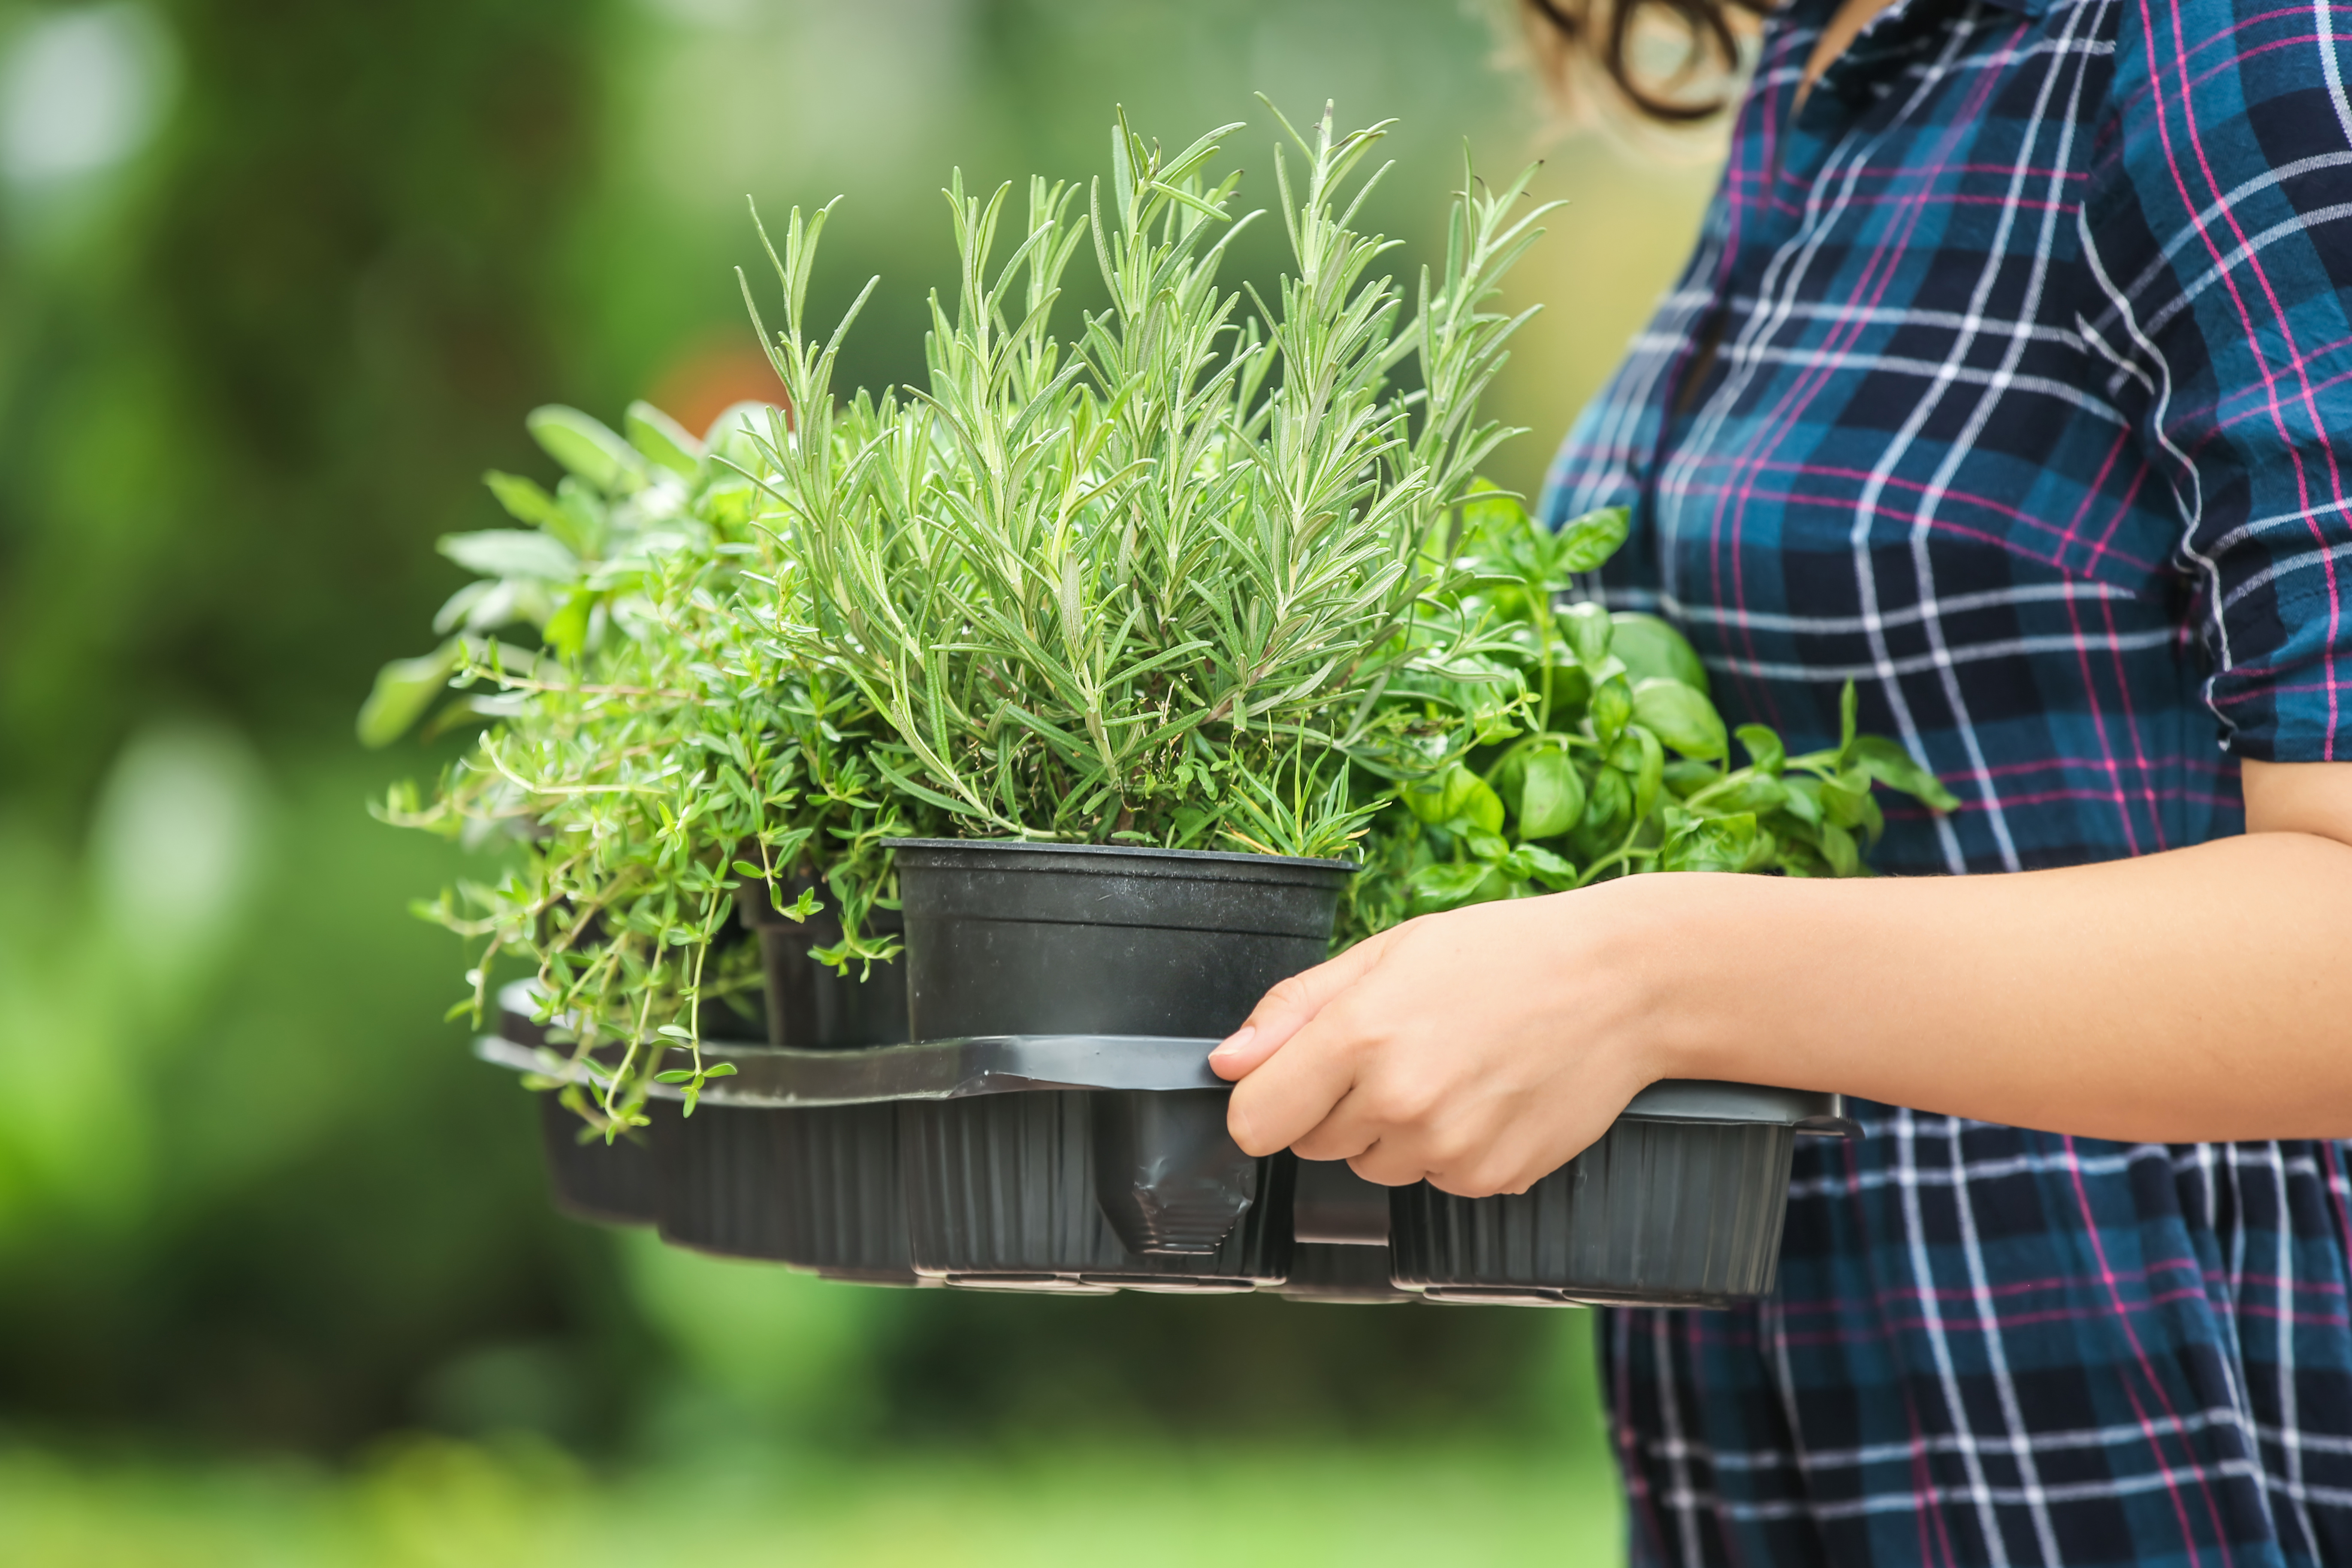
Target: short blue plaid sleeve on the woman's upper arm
{"points": [[2219, 232]]}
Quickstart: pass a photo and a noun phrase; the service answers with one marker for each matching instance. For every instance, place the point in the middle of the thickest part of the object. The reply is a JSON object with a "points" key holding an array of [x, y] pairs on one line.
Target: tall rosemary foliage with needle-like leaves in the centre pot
{"points": [[1144, 577]]}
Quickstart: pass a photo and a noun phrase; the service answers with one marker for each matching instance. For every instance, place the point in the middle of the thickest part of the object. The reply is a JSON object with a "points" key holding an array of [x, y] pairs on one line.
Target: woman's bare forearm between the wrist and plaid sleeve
{"points": [[2186, 996]]}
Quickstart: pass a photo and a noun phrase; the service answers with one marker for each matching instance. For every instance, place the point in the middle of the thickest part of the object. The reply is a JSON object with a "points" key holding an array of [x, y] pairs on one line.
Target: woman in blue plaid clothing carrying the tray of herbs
{"points": [[2014, 382]]}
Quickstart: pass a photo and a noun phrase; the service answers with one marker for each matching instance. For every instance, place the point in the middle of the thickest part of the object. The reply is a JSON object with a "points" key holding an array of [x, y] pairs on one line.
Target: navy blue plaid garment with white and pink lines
{"points": [[2014, 382]]}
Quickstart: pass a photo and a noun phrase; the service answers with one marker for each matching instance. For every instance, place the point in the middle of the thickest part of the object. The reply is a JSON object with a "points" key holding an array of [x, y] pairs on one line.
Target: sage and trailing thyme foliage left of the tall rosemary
{"points": [[657, 753]]}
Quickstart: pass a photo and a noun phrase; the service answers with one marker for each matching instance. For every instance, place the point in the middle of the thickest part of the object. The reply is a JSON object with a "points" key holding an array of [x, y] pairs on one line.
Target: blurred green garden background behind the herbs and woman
{"points": [[279, 1280]]}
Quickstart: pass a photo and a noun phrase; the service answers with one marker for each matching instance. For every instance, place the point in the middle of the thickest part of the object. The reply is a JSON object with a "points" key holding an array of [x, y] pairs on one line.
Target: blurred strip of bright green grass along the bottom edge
{"points": [[432, 1503]]}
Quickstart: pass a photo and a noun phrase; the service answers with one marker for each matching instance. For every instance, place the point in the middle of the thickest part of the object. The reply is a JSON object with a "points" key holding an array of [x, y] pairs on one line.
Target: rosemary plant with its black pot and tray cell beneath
{"points": [[1125, 601]]}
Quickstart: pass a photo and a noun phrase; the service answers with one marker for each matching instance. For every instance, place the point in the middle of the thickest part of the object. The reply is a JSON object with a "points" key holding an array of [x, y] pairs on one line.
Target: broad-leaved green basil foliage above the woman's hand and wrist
{"points": [[1596, 751]]}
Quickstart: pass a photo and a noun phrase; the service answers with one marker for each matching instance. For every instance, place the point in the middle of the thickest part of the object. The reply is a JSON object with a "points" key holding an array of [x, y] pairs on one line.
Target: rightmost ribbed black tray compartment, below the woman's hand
{"points": [[1657, 1214]]}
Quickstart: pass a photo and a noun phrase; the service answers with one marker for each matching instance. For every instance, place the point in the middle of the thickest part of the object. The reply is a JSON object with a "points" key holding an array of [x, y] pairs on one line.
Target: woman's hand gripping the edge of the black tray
{"points": [[1476, 1050]]}
